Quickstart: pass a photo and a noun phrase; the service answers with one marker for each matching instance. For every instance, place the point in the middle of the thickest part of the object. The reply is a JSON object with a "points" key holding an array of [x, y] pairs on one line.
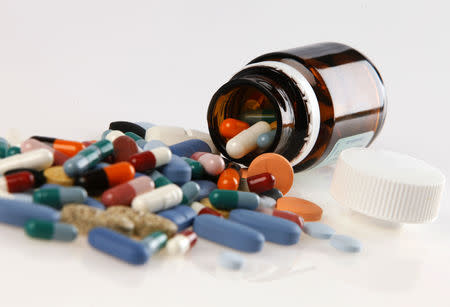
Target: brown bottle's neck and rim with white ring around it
{"points": [[291, 97]]}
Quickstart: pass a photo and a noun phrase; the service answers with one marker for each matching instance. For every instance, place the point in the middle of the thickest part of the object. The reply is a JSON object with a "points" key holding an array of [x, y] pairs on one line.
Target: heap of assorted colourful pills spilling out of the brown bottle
{"points": [[142, 188]]}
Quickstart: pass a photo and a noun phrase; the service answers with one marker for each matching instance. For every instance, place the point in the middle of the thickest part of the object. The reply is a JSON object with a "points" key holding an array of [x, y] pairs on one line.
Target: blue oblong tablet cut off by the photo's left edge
{"points": [[17, 212]]}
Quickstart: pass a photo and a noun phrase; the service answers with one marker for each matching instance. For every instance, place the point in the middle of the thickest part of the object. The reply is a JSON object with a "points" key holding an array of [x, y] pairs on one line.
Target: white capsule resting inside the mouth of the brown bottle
{"points": [[246, 141]]}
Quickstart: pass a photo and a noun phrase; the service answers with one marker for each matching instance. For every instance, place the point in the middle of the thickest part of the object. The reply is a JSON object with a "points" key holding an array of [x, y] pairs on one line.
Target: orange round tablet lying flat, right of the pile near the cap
{"points": [[302, 207]]}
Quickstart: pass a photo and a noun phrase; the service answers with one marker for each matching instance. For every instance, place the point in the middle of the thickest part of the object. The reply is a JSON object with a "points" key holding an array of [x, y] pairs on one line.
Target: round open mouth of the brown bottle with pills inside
{"points": [[238, 105]]}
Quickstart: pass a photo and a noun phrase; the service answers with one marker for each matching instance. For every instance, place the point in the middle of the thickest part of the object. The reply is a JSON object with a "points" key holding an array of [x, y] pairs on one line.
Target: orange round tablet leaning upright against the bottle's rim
{"points": [[276, 165]]}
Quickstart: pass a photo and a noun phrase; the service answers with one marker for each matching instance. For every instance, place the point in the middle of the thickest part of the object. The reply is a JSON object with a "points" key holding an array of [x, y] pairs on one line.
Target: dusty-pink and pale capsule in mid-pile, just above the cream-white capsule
{"points": [[124, 193]]}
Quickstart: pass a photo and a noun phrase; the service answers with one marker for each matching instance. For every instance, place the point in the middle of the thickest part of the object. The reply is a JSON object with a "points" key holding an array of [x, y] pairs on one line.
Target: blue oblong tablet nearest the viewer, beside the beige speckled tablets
{"points": [[118, 245]]}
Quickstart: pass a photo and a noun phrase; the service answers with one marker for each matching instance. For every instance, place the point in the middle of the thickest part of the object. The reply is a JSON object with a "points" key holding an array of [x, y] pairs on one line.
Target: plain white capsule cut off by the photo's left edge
{"points": [[38, 159]]}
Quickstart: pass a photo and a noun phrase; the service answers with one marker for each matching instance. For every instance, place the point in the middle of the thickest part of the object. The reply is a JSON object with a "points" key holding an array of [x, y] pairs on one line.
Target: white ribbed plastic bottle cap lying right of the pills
{"points": [[387, 185]]}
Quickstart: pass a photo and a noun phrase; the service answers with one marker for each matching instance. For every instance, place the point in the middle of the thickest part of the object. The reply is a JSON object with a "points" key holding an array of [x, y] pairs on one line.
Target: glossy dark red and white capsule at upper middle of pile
{"points": [[148, 160]]}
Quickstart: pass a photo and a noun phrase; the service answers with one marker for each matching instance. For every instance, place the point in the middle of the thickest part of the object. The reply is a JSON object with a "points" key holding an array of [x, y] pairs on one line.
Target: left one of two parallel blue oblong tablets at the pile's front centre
{"points": [[228, 233]]}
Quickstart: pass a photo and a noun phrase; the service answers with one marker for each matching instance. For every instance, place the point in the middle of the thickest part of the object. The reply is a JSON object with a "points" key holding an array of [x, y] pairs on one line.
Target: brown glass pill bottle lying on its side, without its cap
{"points": [[324, 98]]}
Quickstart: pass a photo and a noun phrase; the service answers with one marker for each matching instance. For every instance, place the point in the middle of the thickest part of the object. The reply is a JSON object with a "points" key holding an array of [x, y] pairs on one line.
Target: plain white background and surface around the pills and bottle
{"points": [[68, 68]]}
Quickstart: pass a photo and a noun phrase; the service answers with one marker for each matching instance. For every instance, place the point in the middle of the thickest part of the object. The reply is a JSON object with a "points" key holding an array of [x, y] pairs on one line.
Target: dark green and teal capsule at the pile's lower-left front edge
{"points": [[51, 230]]}
